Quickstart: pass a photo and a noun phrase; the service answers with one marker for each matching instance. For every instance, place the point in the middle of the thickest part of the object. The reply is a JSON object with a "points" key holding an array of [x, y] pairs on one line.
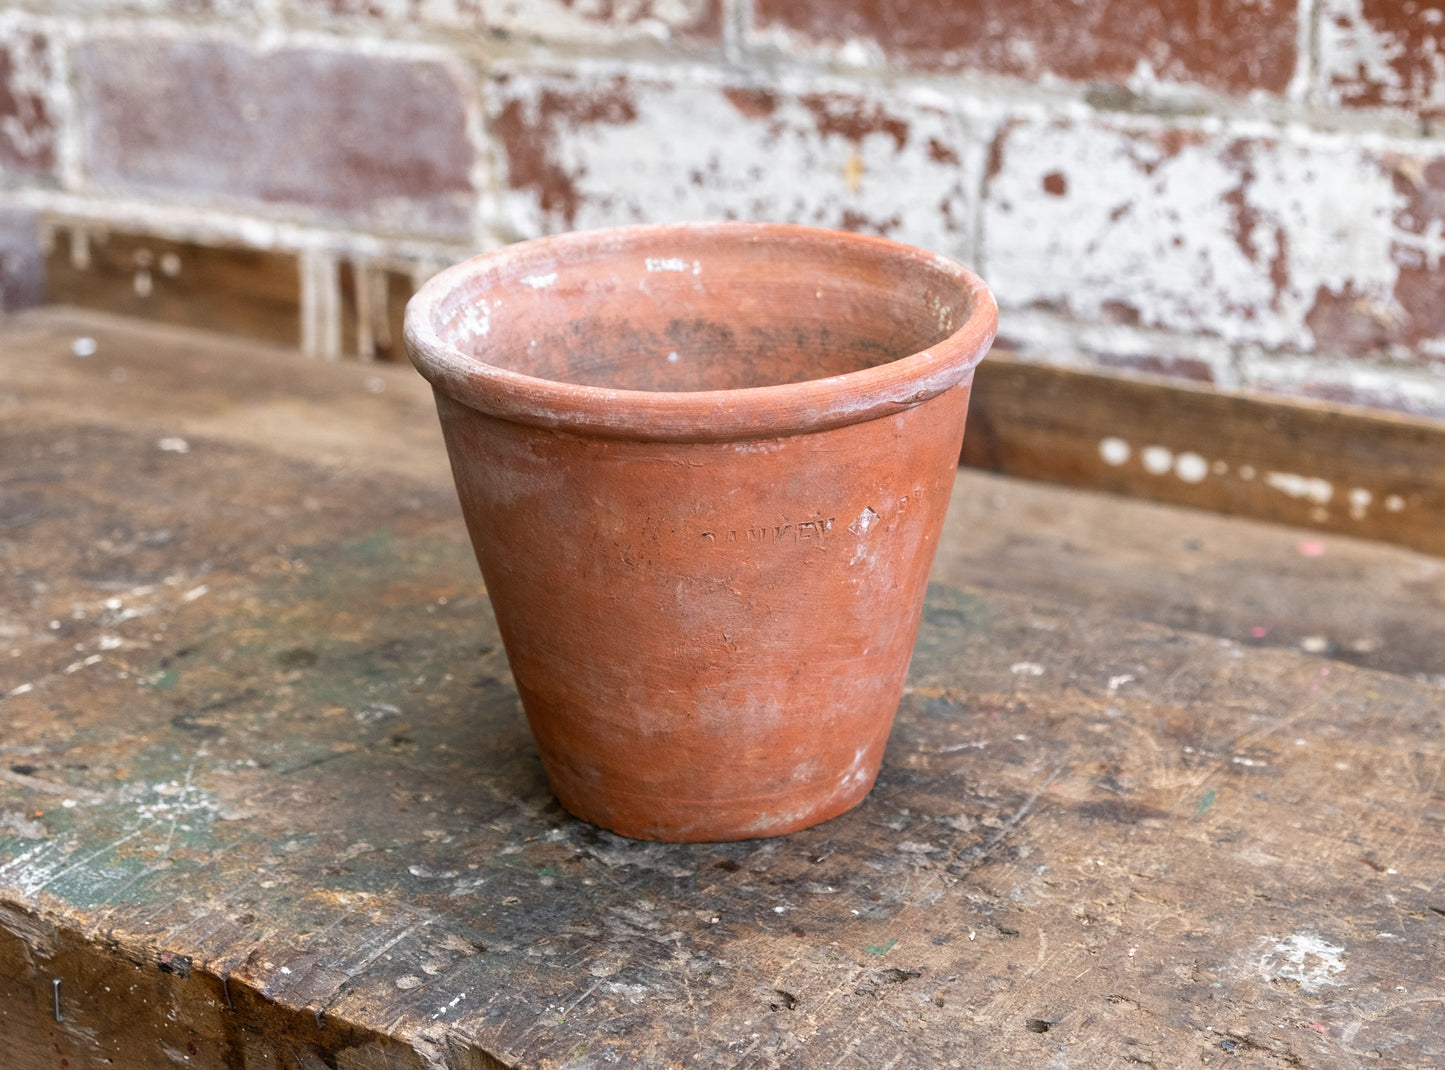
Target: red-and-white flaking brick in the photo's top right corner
{"points": [[1384, 54]]}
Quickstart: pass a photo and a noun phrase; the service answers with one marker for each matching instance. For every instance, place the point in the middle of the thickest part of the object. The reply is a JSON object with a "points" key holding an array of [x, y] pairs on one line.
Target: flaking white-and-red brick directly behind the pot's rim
{"points": [[611, 148]]}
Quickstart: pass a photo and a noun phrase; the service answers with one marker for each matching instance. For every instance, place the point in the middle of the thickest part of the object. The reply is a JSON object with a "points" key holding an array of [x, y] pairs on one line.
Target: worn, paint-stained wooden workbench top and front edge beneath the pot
{"points": [[267, 797]]}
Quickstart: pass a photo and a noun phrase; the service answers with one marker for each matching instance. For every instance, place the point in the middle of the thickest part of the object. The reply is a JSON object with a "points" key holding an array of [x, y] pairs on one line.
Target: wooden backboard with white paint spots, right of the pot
{"points": [[1310, 465]]}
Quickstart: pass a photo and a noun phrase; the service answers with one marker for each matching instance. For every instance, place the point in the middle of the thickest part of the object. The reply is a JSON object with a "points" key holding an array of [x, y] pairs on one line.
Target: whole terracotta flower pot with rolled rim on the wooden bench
{"points": [[704, 469]]}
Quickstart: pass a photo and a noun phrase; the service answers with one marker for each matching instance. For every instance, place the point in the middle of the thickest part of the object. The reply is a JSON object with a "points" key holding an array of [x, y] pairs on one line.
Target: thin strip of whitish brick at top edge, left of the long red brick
{"points": [[691, 21]]}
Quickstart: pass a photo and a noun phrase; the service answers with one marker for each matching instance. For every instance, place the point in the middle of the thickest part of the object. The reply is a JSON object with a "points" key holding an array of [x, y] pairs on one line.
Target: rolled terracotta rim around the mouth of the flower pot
{"points": [[755, 413]]}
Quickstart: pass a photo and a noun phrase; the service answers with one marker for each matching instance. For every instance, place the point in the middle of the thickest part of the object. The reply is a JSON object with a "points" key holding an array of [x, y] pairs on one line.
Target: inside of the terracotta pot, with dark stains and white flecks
{"points": [[702, 312]]}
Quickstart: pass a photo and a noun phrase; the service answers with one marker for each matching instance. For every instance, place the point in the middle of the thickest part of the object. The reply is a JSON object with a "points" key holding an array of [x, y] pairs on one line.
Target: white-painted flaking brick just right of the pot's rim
{"points": [[1189, 232]]}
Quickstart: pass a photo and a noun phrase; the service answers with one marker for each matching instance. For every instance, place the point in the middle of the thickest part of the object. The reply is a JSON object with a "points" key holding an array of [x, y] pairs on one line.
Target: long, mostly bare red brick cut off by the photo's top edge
{"points": [[1219, 44]]}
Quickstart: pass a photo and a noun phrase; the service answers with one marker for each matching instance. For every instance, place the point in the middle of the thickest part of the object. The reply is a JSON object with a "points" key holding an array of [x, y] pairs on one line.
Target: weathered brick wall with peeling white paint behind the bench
{"points": [[1242, 194]]}
